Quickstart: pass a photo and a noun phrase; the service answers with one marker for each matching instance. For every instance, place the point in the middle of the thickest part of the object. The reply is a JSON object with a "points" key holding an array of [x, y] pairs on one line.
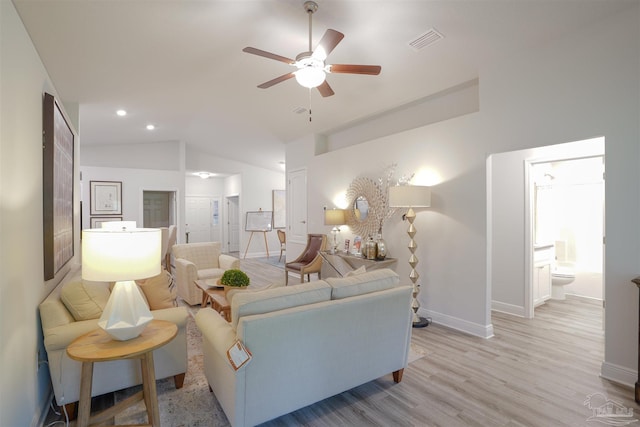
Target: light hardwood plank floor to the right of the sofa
{"points": [[536, 372]]}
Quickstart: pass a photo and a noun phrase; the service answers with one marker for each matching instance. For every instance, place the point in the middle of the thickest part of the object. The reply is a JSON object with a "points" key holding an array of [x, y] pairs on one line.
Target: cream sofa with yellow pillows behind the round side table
{"points": [[60, 328]]}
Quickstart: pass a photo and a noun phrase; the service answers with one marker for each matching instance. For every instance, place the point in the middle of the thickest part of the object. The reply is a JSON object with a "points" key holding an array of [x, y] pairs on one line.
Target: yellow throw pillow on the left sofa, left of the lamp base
{"points": [[85, 299]]}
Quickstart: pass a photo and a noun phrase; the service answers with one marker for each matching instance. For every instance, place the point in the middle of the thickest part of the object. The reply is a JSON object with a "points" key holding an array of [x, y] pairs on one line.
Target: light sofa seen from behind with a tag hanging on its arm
{"points": [[308, 341]]}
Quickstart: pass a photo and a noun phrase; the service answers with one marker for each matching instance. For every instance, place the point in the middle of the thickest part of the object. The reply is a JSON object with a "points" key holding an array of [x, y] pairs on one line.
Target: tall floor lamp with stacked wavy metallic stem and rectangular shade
{"points": [[412, 196]]}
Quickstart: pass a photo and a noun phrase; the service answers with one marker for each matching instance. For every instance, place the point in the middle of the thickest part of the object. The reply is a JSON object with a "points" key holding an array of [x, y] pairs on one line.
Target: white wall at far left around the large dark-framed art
{"points": [[24, 387]]}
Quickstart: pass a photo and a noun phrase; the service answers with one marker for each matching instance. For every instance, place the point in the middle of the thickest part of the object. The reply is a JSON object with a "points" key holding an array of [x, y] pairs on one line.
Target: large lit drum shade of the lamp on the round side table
{"points": [[110, 256]]}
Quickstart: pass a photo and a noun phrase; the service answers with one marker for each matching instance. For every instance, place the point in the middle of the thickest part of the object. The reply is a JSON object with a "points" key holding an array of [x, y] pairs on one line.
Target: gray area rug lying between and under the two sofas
{"points": [[193, 405]]}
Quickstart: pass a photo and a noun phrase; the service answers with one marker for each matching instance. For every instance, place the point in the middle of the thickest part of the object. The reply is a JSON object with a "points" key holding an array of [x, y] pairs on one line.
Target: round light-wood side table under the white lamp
{"points": [[98, 346]]}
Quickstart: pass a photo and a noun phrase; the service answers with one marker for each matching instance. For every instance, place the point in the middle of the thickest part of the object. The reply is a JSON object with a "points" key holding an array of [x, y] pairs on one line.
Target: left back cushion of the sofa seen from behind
{"points": [[279, 298]]}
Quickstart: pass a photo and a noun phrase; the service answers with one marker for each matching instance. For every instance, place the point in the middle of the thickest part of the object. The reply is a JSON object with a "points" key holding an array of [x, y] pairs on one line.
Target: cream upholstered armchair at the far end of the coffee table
{"points": [[195, 261]]}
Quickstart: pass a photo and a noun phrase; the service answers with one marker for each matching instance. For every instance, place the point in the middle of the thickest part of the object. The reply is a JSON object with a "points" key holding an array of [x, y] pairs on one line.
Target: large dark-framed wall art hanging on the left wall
{"points": [[57, 182]]}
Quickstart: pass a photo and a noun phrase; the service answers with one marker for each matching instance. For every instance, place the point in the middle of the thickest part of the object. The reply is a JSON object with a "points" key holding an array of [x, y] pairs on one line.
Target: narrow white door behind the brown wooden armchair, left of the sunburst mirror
{"points": [[297, 206]]}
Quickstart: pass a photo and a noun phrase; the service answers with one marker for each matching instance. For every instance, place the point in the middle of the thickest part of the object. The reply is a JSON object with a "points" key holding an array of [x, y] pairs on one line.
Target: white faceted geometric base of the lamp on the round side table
{"points": [[126, 314]]}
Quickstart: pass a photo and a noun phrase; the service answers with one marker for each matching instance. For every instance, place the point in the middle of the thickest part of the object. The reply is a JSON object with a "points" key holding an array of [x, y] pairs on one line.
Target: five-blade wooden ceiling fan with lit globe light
{"points": [[311, 68]]}
